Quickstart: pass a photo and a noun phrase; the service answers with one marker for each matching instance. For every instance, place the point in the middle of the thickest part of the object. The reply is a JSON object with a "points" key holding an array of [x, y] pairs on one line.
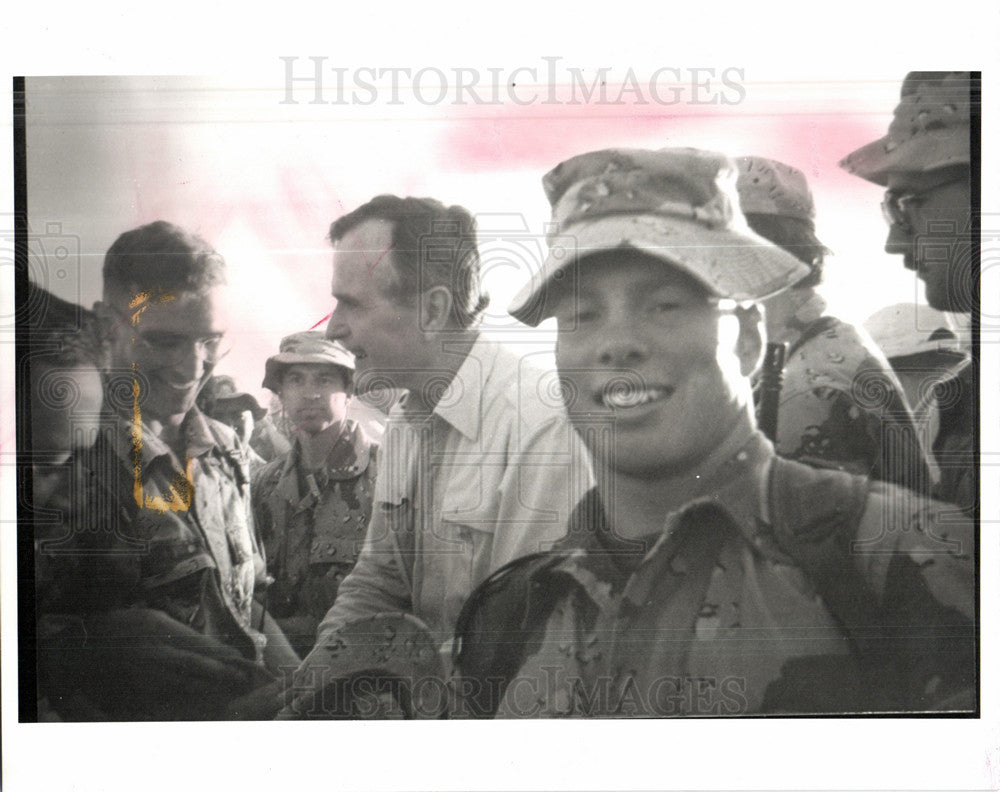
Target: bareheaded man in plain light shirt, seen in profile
{"points": [[478, 463]]}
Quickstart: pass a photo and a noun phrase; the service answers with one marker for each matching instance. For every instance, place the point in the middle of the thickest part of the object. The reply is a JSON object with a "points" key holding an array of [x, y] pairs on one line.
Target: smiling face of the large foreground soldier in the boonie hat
{"points": [[643, 346]]}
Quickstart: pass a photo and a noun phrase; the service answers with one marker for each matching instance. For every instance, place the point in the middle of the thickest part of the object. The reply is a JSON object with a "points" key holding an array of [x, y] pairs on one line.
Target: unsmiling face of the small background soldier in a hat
{"points": [[314, 396]]}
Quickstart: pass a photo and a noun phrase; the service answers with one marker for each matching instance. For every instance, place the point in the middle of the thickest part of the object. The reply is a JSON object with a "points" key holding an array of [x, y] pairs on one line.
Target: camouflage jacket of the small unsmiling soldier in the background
{"points": [[312, 526]]}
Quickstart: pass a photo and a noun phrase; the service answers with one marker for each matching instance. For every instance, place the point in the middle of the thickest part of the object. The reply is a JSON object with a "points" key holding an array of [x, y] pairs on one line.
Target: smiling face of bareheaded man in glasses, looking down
{"points": [[172, 344]]}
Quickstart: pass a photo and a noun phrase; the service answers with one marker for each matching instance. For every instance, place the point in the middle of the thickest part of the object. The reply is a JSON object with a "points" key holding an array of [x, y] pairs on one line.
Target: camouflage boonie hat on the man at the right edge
{"points": [[930, 129]]}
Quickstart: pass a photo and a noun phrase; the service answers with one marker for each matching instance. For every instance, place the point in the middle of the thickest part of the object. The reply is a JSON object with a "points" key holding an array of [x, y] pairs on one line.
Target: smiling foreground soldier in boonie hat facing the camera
{"points": [[703, 574]]}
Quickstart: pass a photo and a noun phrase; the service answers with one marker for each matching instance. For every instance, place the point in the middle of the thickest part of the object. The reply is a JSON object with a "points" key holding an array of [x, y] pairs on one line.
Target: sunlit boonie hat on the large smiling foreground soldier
{"points": [[674, 204]]}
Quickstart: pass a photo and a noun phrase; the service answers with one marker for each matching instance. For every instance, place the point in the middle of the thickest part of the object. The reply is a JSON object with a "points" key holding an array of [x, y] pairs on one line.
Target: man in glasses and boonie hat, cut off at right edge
{"points": [[925, 162]]}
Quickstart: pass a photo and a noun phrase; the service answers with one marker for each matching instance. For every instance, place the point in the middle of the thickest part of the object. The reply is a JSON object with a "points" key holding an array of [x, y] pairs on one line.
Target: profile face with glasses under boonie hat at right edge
{"points": [[929, 227]]}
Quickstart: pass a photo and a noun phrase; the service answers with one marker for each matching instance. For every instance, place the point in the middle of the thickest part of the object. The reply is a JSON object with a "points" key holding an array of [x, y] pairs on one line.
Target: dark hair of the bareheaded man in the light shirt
{"points": [[432, 245]]}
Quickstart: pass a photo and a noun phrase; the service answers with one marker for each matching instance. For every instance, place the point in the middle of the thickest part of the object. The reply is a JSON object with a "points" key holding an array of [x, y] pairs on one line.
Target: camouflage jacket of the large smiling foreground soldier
{"points": [[833, 595]]}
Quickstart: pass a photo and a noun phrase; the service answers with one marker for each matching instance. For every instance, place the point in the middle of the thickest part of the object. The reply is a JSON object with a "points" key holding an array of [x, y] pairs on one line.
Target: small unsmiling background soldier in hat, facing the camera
{"points": [[312, 504]]}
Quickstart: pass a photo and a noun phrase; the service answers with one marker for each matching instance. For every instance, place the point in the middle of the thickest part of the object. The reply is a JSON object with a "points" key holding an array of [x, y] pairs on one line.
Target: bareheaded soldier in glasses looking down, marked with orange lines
{"points": [[152, 616]]}
